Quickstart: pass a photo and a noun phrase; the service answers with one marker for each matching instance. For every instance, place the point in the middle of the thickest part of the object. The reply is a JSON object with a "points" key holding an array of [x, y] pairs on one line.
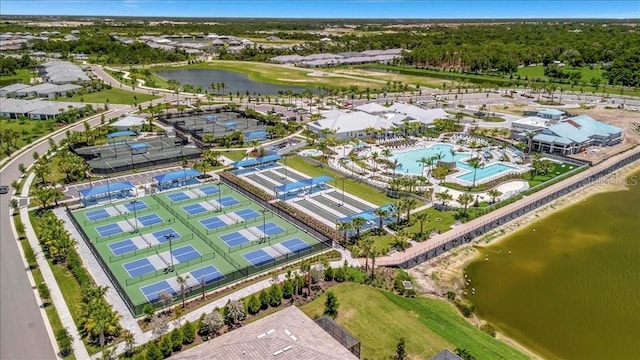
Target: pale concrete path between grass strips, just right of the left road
{"points": [[56, 295]]}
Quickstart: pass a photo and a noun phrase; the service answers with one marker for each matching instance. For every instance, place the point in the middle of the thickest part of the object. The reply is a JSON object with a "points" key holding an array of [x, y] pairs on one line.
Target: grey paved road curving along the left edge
{"points": [[22, 331]]}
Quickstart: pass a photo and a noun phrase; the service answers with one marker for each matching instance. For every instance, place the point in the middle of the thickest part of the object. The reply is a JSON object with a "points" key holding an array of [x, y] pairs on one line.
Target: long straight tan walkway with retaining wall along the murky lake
{"points": [[466, 232]]}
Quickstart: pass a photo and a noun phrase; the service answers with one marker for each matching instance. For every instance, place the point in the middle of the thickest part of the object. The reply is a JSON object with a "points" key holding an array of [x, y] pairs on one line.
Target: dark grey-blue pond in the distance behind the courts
{"points": [[235, 82]]}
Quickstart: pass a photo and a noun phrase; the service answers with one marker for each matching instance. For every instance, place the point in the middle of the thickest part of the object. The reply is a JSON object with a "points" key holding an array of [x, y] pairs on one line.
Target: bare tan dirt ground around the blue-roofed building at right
{"points": [[616, 117]]}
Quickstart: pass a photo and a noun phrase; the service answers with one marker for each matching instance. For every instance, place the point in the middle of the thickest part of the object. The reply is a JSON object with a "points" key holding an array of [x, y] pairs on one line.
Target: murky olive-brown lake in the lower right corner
{"points": [[568, 286]]}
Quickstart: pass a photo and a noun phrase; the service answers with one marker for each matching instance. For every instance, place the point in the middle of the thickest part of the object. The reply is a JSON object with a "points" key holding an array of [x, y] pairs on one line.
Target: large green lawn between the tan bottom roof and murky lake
{"points": [[380, 318]]}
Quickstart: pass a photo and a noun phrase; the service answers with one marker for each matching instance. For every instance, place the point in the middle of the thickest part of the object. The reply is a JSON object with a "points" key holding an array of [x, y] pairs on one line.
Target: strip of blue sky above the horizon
{"points": [[376, 9]]}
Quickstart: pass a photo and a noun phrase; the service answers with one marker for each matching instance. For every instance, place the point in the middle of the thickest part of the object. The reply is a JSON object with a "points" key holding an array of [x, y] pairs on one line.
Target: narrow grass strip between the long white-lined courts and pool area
{"points": [[351, 186]]}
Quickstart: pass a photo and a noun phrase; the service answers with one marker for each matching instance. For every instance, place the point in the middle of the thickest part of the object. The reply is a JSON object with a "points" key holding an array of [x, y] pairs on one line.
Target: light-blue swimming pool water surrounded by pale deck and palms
{"points": [[409, 164]]}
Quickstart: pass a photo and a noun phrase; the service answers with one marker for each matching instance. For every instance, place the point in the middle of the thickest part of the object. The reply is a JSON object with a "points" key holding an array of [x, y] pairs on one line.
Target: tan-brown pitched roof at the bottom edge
{"points": [[286, 335]]}
